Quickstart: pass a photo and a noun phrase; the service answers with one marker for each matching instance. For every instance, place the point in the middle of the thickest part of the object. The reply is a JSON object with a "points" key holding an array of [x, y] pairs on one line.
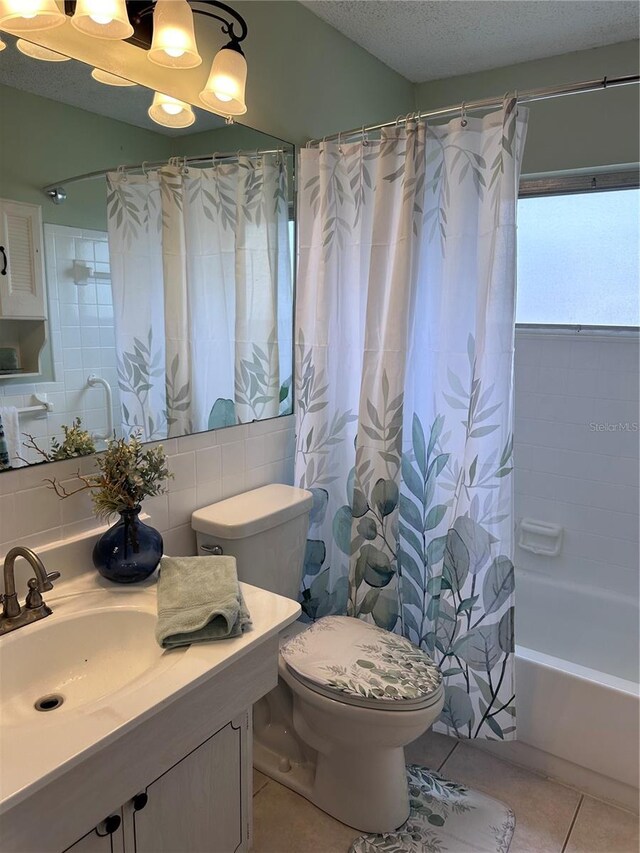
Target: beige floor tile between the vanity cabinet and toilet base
{"points": [[285, 822]]}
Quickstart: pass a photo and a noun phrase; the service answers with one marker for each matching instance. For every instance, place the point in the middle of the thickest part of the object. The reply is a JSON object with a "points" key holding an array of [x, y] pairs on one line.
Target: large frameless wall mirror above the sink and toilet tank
{"points": [[161, 297]]}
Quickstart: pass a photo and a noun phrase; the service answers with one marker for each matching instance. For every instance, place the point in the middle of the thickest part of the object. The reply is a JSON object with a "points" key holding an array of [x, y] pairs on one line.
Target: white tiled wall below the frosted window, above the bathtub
{"points": [[570, 468]]}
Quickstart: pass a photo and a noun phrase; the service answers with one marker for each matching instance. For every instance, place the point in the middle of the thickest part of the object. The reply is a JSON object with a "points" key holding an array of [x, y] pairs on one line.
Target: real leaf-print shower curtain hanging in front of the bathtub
{"points": [[404, 360]]}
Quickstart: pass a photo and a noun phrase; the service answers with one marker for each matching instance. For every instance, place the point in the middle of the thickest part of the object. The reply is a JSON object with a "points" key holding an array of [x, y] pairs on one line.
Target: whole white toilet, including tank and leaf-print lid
{"points": [[350, 695]]}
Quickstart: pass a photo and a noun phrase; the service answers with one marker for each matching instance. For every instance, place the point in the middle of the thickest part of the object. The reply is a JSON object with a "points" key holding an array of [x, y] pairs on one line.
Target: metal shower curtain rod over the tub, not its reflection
{"points": [[485, 103]]}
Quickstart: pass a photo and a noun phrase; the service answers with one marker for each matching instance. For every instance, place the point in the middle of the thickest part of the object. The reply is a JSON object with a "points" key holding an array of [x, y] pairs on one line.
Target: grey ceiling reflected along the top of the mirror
{"points": [[71, 83]]}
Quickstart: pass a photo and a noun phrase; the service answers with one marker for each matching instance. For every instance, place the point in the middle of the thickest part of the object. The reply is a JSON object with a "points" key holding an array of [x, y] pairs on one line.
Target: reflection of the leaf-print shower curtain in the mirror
{"points": [[201, 277]]}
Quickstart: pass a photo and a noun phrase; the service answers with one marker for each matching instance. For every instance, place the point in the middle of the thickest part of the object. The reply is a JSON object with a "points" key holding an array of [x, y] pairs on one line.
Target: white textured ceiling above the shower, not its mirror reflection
{"points": [[431, 39]]}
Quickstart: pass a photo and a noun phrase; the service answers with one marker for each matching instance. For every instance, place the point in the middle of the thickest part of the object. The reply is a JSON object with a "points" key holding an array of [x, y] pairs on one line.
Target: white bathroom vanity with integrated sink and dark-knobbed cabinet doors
{"points": [[150, 751]]}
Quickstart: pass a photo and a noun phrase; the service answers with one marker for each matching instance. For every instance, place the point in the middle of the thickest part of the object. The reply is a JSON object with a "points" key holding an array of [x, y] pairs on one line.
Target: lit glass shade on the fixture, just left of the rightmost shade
{"points": [[174, 41]]}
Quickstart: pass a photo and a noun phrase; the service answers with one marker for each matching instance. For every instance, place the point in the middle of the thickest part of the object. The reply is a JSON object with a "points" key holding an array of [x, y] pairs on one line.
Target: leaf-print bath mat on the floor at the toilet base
{"points": [[445, 818]]}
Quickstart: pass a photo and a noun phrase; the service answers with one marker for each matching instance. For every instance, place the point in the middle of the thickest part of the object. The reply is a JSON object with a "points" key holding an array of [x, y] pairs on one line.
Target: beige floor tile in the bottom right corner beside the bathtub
{"points": [[600, 828]]}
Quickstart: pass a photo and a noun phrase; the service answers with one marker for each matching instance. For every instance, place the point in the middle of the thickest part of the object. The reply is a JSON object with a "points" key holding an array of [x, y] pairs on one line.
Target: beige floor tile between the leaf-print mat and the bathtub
{"points": [[544, 809]]}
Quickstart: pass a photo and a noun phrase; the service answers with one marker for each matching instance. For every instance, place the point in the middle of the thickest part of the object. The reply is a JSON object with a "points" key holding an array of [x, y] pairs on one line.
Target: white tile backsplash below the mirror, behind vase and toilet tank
{"points": [[208, 466]]}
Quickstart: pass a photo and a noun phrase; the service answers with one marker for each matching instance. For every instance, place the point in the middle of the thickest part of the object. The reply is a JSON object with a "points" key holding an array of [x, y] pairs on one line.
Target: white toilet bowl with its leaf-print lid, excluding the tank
{"points": [[343, 751]]}
